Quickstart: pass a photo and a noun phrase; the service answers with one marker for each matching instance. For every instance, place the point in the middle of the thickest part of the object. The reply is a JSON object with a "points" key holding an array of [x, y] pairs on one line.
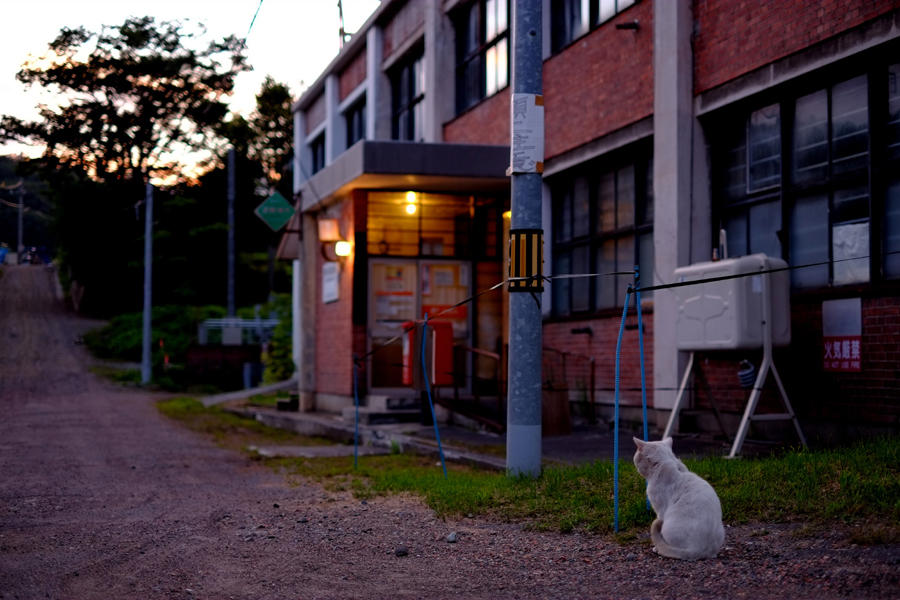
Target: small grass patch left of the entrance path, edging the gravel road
{"points": [[231, 430]]}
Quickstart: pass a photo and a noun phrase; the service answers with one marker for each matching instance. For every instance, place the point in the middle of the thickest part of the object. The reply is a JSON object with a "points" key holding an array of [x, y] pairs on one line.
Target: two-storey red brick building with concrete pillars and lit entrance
{"points": [[666, 123]]}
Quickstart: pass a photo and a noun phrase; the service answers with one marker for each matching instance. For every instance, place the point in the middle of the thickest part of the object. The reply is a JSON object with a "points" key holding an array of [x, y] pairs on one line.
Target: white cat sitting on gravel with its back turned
{"points": [[688, 521]]}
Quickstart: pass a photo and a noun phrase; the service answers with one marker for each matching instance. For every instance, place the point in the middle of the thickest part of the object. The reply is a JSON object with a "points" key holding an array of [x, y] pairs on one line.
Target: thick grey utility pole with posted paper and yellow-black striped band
{"points": [[523, 431]]}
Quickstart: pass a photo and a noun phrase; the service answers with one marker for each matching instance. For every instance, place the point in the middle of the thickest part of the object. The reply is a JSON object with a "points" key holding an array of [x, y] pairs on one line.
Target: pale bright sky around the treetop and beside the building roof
{"points": [[292, 40]]}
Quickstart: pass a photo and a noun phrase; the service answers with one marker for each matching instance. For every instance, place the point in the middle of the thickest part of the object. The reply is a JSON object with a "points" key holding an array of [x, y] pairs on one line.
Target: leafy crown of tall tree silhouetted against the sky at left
{"points": [[138, 96]]}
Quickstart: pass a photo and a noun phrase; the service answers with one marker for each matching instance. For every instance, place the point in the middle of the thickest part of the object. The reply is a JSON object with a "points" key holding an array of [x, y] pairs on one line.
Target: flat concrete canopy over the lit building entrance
{"points": [[391, 165]]}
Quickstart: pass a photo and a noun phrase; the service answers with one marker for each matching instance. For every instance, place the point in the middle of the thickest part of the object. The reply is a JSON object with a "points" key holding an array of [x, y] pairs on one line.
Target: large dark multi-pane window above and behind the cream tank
{"points": [[805, 187]]}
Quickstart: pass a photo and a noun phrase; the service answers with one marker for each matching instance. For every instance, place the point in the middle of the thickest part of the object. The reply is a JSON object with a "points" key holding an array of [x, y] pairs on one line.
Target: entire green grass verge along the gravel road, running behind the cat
{"points": [[857, 485]]}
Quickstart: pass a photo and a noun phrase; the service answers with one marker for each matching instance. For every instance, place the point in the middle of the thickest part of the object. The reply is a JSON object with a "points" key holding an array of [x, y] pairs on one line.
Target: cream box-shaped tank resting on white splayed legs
{"points": [[728, 314]]}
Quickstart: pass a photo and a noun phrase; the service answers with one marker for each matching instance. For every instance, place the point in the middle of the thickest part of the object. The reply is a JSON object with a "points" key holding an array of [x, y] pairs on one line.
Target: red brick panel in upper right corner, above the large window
{"points": [[735, 37]]}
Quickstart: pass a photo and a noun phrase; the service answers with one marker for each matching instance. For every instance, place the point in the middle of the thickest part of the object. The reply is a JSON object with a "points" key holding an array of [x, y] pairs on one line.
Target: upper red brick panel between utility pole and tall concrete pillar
{"points": [[600, 83]]}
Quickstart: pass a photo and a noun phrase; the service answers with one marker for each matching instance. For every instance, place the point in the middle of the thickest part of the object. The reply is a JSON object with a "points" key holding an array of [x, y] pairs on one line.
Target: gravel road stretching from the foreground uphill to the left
{"points": [[101, 497]]}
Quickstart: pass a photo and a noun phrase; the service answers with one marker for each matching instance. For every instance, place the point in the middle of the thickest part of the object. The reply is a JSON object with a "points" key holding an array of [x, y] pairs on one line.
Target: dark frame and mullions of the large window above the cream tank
{"points": [[876, 175]]}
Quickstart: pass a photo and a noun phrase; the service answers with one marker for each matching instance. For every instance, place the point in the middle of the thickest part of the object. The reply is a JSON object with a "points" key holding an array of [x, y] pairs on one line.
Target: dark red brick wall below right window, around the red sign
{"points": [[870, 397]]}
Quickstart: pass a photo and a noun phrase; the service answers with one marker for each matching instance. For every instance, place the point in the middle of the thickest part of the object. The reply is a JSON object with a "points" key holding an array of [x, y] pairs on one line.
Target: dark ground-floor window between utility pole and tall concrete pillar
{"points": [[603, 217]]}
